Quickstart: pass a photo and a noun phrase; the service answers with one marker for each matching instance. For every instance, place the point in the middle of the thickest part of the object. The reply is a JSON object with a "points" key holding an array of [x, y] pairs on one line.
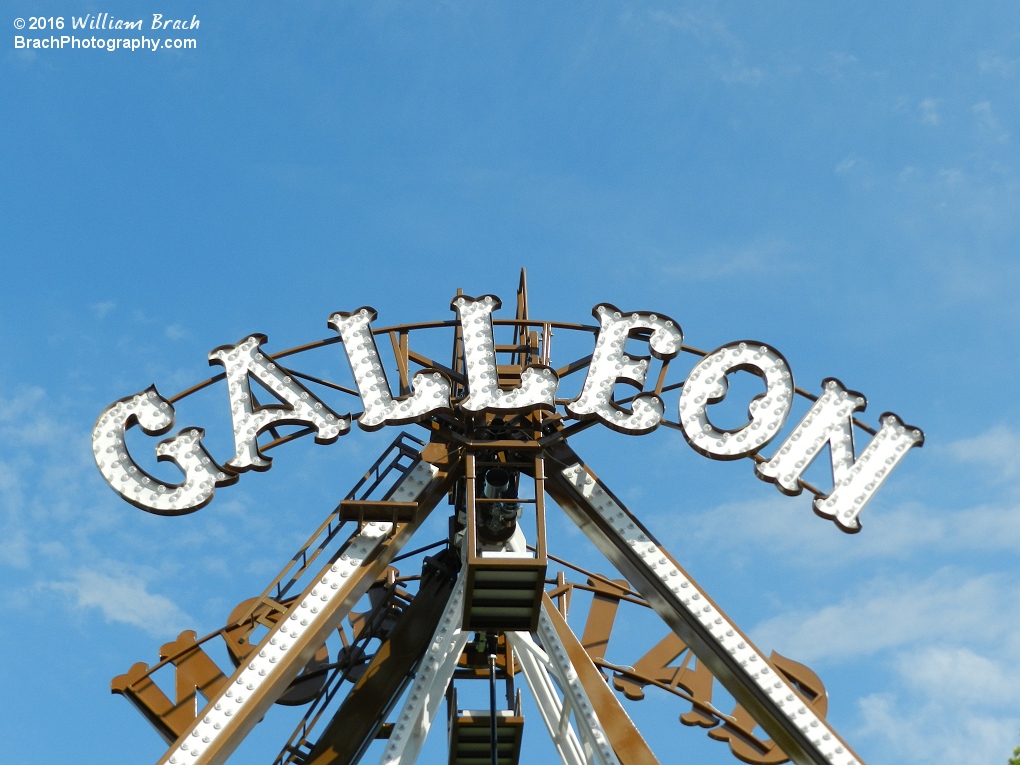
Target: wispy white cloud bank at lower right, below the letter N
{"points": [[945, 632]]}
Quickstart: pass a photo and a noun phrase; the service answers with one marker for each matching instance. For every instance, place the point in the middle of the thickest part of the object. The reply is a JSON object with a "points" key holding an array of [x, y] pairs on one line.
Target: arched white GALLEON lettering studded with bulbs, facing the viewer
{"points": [[434, 391]]}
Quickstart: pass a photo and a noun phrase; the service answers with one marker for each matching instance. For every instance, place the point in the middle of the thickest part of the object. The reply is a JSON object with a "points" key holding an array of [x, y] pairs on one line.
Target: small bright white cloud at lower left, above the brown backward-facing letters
{"points": [[124, 599]]}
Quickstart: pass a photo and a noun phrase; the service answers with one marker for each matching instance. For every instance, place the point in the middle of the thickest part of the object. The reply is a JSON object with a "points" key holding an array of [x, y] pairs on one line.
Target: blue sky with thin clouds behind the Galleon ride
{"points": [[842, 183]]}
